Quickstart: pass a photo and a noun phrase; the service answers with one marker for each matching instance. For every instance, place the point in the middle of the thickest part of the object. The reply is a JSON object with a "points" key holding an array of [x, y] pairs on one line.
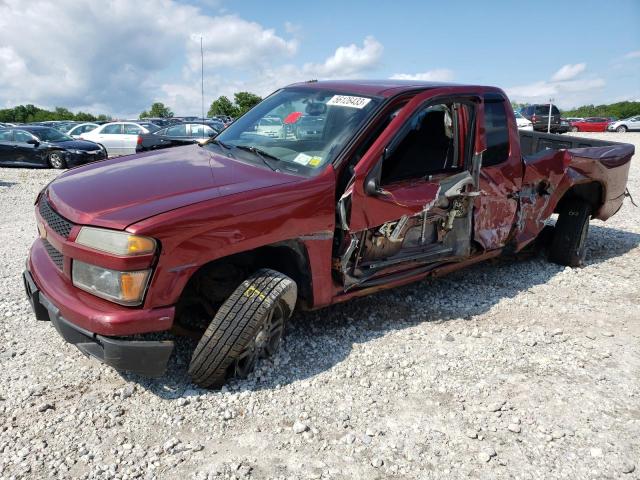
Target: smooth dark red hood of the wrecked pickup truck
{"points": [[119, 192]]}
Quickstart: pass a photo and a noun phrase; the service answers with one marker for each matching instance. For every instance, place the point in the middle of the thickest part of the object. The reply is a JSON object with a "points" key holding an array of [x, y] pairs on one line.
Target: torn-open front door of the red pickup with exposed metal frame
{"points": [[452, 195]]}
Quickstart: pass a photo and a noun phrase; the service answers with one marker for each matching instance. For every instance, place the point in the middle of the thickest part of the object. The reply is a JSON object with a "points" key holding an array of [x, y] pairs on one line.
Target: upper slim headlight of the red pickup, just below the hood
{"points": [[117, 243]]}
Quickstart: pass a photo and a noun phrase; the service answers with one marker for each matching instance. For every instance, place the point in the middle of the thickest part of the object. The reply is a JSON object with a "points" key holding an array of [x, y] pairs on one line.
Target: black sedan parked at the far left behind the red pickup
{"points": [[38, 146]]}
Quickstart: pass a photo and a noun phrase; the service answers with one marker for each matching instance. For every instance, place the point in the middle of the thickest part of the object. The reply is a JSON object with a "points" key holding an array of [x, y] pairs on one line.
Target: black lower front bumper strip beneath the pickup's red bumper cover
{"points": [[148, 358]]}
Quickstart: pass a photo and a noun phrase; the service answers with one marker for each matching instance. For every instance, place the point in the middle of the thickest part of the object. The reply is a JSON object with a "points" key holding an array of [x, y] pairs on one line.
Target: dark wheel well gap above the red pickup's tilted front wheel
{"points": [[216, 280]]}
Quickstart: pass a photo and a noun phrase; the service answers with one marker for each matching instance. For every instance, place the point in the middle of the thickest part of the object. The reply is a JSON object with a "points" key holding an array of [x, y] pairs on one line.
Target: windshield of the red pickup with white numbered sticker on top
{"points": [[277, 131]]}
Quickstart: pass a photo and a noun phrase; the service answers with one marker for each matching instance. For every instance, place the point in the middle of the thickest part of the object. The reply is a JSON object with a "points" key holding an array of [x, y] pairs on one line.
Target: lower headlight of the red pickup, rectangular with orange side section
{"points": [[125, 288]]}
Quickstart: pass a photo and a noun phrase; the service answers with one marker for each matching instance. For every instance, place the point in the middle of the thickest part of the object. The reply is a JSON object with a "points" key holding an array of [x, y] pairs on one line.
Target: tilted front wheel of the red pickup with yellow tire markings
{"points": [[248, 326]]}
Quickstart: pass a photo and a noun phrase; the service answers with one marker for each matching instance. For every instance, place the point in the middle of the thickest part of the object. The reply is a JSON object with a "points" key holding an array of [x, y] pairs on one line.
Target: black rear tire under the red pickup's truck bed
{"points": [[568, 246]]}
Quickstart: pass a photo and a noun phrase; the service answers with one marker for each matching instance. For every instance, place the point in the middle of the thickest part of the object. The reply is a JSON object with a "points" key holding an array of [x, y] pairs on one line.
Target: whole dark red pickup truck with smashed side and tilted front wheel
{"points": [[350, 188]]}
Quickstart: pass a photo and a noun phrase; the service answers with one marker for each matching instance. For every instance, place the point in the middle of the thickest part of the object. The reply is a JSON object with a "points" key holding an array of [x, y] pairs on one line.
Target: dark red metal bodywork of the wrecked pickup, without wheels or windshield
{"points": [[351, 240]]}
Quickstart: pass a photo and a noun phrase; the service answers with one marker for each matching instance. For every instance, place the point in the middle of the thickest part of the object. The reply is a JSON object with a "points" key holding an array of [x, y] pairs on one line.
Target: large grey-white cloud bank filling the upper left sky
{"points": [[84, 54]]}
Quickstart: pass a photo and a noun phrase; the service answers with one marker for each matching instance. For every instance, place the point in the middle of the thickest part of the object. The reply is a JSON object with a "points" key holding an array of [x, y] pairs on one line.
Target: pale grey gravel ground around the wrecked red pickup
{"points": [[515, 368]]}
